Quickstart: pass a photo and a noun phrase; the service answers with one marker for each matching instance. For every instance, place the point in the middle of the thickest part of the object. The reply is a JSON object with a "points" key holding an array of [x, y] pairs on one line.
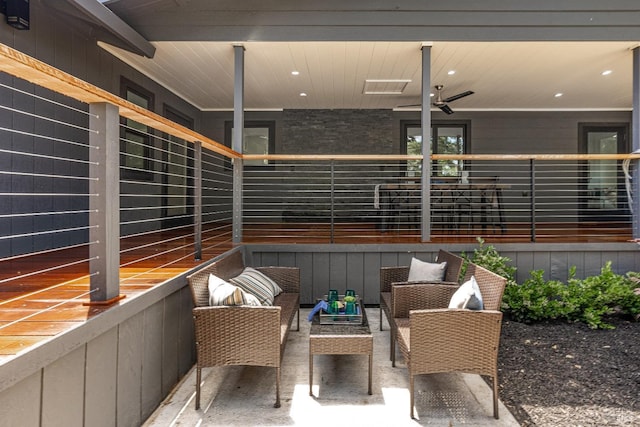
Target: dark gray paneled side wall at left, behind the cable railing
{"points": [[67, 44]]}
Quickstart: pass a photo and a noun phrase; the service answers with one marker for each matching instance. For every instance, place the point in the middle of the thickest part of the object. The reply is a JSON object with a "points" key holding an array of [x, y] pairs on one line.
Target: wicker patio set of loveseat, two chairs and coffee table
{"points": [[440, 323]]}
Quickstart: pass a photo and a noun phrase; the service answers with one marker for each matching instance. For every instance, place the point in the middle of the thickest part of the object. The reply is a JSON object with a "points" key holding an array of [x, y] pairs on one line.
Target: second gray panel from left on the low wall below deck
{"points": [[63, 391]]}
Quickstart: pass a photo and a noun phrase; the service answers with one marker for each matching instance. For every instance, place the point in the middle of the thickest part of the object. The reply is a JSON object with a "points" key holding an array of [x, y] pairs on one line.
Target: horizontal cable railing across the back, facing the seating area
{"points": [[561, 198]]}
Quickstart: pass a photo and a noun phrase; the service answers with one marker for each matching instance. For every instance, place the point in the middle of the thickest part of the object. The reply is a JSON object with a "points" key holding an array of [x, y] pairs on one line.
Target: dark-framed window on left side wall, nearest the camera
{"points": [[135, 146]]}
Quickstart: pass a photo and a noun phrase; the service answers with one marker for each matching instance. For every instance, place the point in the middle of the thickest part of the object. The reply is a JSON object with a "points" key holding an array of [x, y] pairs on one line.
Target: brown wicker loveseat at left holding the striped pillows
{"points": [[243, 335]]}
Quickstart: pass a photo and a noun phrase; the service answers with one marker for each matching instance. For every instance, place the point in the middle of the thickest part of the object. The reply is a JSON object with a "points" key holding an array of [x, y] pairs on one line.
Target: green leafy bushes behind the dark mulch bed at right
{"points": [[590, 300]]}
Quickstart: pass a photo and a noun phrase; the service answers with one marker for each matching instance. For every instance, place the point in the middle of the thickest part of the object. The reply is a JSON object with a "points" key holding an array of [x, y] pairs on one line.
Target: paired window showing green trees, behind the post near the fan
{"points": [[446, 138]]}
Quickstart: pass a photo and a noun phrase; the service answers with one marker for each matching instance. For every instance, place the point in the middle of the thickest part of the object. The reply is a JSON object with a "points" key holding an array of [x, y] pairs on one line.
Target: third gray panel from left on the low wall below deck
{"points": [[100, 382]]}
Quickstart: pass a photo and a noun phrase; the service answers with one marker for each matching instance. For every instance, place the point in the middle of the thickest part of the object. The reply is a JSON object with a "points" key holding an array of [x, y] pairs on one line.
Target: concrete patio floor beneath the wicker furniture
{"points": [[244, 396]]}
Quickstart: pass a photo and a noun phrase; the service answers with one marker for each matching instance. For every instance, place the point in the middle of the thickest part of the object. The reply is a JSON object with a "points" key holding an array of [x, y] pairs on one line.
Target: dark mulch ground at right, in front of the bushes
{"points": [[559, 374]]}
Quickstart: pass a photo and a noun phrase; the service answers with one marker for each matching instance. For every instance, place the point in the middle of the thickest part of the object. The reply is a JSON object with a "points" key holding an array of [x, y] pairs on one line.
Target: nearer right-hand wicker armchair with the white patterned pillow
{"points": [[436, 339]]}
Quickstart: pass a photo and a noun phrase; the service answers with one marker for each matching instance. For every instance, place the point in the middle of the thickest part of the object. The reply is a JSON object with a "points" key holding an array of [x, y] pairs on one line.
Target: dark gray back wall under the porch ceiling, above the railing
{"points": [[379, 131]]}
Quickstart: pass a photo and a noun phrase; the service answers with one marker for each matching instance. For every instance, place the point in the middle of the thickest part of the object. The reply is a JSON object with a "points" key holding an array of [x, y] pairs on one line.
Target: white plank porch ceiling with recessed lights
{"points": [[503, 75]]}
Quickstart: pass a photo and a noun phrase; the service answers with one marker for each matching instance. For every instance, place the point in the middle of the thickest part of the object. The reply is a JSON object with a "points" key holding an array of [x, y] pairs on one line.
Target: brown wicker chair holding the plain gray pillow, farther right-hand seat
{"points": [[399, 275]]}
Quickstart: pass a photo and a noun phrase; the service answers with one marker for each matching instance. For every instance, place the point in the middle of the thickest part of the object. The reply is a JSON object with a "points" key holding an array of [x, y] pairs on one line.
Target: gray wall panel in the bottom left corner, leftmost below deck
{"points": [[20, 405]]}
